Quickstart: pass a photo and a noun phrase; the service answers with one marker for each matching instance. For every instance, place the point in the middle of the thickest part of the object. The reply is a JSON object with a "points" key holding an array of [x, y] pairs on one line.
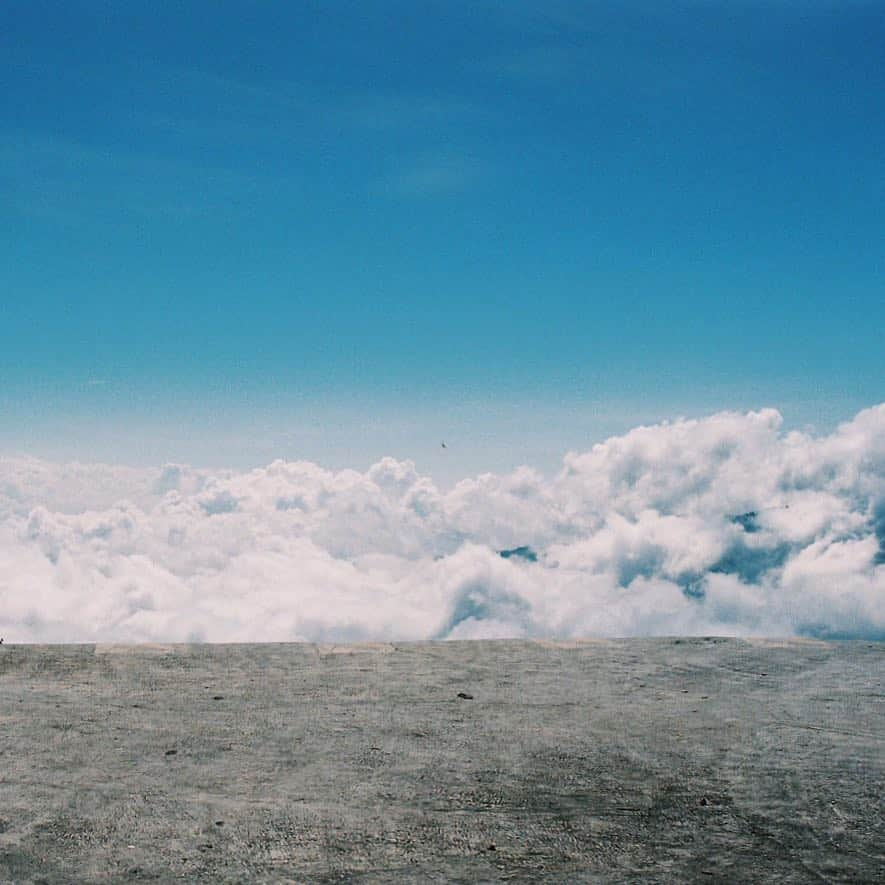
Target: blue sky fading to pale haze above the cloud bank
{"points": [[236, 231]]}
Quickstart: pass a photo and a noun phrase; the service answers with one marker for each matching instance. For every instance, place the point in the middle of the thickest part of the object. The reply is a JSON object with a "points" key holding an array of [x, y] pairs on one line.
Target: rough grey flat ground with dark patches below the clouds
{"points": [[695, 760]]}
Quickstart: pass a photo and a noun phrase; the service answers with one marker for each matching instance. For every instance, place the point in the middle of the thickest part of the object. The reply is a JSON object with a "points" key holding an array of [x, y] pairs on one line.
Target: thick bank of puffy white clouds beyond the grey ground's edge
{"points": [[726, 525]]}
